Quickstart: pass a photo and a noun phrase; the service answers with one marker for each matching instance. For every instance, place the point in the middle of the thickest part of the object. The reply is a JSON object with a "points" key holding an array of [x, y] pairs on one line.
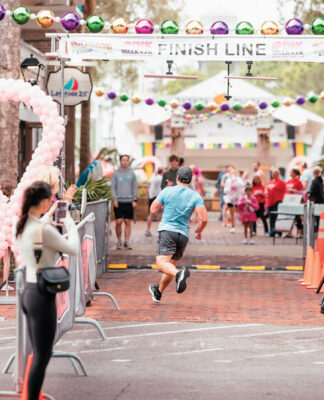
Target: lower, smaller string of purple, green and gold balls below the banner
{"points": [[249, 105]]}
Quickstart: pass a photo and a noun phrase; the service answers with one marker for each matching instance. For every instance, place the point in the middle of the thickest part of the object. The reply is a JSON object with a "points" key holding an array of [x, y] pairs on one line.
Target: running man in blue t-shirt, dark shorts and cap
{"points": [[179, 202]]}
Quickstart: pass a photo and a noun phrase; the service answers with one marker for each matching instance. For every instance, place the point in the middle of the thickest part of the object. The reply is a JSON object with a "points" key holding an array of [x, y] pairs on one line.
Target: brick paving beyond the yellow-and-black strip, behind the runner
{"points": [[217, 247]]}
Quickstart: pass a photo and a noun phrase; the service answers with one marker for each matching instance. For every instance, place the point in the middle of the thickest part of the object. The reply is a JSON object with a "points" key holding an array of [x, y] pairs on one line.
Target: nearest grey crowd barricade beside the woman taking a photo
{"points": [[69, 304]]}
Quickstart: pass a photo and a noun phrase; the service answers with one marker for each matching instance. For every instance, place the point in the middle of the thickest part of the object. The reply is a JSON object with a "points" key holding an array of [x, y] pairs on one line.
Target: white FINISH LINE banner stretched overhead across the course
{"points": [[186, 48]]}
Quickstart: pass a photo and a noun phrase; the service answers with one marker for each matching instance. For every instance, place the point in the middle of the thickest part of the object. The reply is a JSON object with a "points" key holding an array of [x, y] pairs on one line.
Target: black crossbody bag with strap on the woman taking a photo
{"points": [[50, 280]]}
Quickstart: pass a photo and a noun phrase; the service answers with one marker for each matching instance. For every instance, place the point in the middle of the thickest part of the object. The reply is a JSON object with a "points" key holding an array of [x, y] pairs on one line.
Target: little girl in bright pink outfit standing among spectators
{"points": [[247, 206]]}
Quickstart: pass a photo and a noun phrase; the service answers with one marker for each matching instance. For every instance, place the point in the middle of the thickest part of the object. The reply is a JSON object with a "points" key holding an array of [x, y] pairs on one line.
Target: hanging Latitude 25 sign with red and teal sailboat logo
{"points": [[77, 86]]}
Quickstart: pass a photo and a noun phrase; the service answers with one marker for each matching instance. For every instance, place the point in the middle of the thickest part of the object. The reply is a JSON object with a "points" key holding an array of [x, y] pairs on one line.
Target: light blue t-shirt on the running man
{"points": [[179, 203]]}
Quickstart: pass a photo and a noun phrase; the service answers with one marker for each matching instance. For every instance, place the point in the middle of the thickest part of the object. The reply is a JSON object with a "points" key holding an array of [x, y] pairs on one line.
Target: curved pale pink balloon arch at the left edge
{"points": [[44, 155]]}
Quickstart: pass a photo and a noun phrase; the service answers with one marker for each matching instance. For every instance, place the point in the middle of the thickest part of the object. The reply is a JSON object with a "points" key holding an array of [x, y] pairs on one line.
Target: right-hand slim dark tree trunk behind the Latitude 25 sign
{"points": [[88, 9]]}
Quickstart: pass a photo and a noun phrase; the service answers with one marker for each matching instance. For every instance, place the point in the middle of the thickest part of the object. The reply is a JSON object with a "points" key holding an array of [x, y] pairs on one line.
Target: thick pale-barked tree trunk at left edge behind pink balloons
{"points": [[9, 112]]}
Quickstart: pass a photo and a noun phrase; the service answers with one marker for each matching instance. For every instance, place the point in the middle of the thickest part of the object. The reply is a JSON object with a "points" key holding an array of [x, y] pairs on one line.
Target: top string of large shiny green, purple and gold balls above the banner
{"points": [[70, 21]]}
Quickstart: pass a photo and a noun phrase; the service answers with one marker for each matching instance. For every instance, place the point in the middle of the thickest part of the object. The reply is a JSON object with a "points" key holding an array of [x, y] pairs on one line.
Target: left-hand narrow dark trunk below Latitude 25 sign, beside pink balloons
{"points": [[70, 144]]}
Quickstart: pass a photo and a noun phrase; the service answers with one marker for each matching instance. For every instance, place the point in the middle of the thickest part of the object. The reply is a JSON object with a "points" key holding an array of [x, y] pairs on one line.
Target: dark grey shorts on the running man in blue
{"points": [[171, 243]]}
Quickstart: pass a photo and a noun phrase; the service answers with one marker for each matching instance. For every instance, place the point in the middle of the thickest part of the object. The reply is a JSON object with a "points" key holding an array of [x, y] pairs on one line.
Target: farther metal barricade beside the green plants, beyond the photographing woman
{"points": [[100, 209]]}
